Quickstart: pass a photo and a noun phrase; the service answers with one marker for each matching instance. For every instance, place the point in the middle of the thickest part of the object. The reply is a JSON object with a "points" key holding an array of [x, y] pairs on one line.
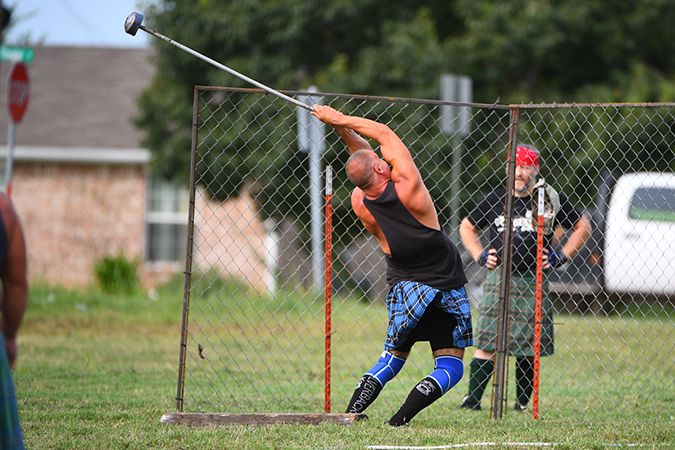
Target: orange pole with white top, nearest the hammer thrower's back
{"points": [[328, 279]]}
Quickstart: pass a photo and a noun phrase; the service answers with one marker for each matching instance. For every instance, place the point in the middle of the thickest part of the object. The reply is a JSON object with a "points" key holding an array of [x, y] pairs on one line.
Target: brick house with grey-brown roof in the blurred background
{"points": [[80, 178]]}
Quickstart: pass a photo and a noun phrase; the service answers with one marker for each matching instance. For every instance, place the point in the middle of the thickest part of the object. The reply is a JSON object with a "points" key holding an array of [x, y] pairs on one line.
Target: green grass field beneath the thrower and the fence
{"points": [[98, 372]]}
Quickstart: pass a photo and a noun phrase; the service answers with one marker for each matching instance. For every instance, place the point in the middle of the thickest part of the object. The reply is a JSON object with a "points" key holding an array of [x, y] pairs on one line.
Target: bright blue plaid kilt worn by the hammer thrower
{"points": [[406, 303]]}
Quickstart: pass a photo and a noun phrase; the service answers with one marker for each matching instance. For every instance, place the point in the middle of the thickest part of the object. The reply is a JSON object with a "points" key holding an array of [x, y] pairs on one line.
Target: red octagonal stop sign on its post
{"points": [[17, 101]]}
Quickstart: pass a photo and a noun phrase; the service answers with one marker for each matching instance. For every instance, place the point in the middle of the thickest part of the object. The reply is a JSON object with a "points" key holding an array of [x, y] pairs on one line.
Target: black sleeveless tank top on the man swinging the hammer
{"points": [[418, 253]]}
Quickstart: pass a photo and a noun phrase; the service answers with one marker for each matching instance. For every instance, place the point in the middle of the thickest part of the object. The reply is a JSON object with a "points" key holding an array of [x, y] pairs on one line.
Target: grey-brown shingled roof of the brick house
{"points": [[82, 97]]}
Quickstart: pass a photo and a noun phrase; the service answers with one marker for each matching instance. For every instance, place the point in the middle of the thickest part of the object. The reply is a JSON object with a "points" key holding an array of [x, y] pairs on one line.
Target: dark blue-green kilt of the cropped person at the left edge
{"points": [[10, 429]]}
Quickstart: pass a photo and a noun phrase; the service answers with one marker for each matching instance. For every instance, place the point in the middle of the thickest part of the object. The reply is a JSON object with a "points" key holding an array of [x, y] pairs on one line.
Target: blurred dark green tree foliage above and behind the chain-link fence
{"points": [[521, 51]]}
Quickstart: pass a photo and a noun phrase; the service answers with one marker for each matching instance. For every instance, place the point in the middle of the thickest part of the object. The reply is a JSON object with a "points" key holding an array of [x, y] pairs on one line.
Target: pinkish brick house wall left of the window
{"points": [[73, 214]]}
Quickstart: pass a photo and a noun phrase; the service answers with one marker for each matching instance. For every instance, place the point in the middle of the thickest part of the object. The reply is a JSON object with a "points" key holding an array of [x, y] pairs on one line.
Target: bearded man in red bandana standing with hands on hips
{"points": [[490, 212]]}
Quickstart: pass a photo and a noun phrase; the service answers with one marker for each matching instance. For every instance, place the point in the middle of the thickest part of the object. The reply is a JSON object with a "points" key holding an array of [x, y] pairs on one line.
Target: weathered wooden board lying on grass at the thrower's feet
{"points": [[207, 419]]}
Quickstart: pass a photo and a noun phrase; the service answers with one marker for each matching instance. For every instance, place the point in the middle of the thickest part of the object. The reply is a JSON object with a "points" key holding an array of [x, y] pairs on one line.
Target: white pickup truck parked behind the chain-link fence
{"points": [[632, 249]]}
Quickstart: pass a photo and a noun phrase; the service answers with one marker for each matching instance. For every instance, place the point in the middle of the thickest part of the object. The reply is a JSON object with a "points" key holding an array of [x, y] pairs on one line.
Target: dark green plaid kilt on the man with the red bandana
{"points": [[521, 330]]}
